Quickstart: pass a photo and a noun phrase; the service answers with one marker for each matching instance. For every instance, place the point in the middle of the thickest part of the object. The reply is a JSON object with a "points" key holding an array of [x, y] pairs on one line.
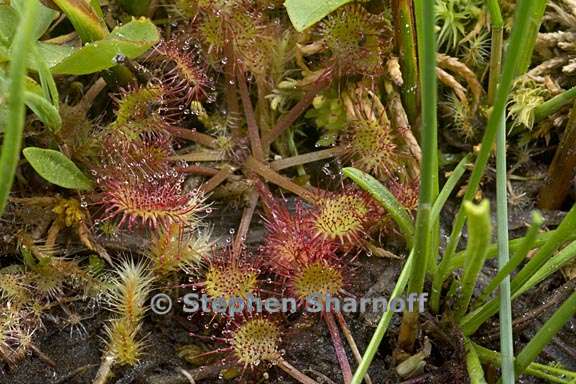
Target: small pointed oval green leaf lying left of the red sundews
{"points": [[57, 169]]}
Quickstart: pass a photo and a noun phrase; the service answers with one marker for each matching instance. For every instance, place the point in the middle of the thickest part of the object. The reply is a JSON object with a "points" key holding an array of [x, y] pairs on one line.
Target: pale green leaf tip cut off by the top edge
{"points": [[305, 13]]}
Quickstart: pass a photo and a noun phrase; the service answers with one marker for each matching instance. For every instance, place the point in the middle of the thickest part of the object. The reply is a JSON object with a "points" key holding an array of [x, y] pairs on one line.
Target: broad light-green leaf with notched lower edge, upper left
{"points": [[130, 41]]}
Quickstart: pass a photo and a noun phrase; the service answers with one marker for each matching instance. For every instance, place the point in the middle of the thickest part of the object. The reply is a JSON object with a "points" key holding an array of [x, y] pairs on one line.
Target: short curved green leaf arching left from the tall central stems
{"points": [[379, 192]]}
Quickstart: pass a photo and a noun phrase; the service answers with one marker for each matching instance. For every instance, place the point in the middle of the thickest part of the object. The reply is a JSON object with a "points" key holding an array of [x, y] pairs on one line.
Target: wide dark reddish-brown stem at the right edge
{"points": [[562, 170]]}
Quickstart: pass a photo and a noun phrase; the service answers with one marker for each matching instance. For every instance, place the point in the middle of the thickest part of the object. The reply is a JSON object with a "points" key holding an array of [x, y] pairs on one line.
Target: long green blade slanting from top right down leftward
{"points": [[522, 28]]}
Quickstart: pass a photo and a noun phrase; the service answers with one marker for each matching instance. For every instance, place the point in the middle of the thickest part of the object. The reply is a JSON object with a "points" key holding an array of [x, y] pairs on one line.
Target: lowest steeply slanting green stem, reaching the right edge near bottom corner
{"points": [[546, 333]]}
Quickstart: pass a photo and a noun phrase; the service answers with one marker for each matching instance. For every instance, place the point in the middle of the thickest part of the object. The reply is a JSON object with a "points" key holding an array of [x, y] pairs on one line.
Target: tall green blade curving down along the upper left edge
{"points": [[12, 143]]}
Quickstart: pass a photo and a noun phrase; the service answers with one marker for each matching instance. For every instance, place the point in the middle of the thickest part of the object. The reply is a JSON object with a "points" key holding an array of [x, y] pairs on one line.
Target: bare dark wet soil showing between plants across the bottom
{"points": [[76, 353]]}
